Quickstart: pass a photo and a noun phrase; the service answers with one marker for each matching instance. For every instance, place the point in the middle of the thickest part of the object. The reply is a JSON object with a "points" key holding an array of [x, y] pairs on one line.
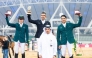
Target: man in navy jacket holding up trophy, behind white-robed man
{"points": [[40, 23]]}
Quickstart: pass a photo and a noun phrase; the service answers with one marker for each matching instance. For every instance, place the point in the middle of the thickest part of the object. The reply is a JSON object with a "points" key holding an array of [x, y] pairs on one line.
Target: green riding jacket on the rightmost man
{"points": [[65, 34]]}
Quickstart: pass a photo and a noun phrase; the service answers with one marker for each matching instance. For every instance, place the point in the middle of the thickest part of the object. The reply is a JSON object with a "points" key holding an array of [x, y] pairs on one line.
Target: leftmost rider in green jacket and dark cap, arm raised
{"points": [[20, 34]]}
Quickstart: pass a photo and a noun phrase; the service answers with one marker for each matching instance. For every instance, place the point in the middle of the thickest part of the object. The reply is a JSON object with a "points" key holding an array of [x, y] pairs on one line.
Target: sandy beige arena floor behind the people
{"points": [[86, 53]]}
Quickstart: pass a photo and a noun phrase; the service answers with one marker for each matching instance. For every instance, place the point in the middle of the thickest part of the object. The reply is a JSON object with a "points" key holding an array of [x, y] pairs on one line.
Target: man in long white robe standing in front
{"points": [[47, 46]]}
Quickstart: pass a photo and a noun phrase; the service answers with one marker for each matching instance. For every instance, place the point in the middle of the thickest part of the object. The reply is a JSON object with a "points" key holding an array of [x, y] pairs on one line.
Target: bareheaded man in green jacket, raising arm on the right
{"points": [[65, 35]]}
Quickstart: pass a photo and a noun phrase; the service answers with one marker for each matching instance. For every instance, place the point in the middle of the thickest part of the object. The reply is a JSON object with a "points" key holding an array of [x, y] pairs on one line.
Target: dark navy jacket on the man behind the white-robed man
{"points": [[39, 25]]}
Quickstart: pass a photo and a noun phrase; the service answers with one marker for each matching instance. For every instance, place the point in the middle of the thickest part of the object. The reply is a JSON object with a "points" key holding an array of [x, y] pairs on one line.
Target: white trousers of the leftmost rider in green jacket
{"points": [[19, 45]]}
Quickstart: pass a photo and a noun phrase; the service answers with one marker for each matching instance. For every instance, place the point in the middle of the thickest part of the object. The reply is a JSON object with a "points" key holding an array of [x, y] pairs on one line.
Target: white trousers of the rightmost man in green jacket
{"points": [[69, 47]]}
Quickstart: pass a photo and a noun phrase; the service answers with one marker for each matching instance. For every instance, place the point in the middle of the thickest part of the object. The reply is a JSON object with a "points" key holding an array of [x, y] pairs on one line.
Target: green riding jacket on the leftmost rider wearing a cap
{"points": [[20, 32]]}
